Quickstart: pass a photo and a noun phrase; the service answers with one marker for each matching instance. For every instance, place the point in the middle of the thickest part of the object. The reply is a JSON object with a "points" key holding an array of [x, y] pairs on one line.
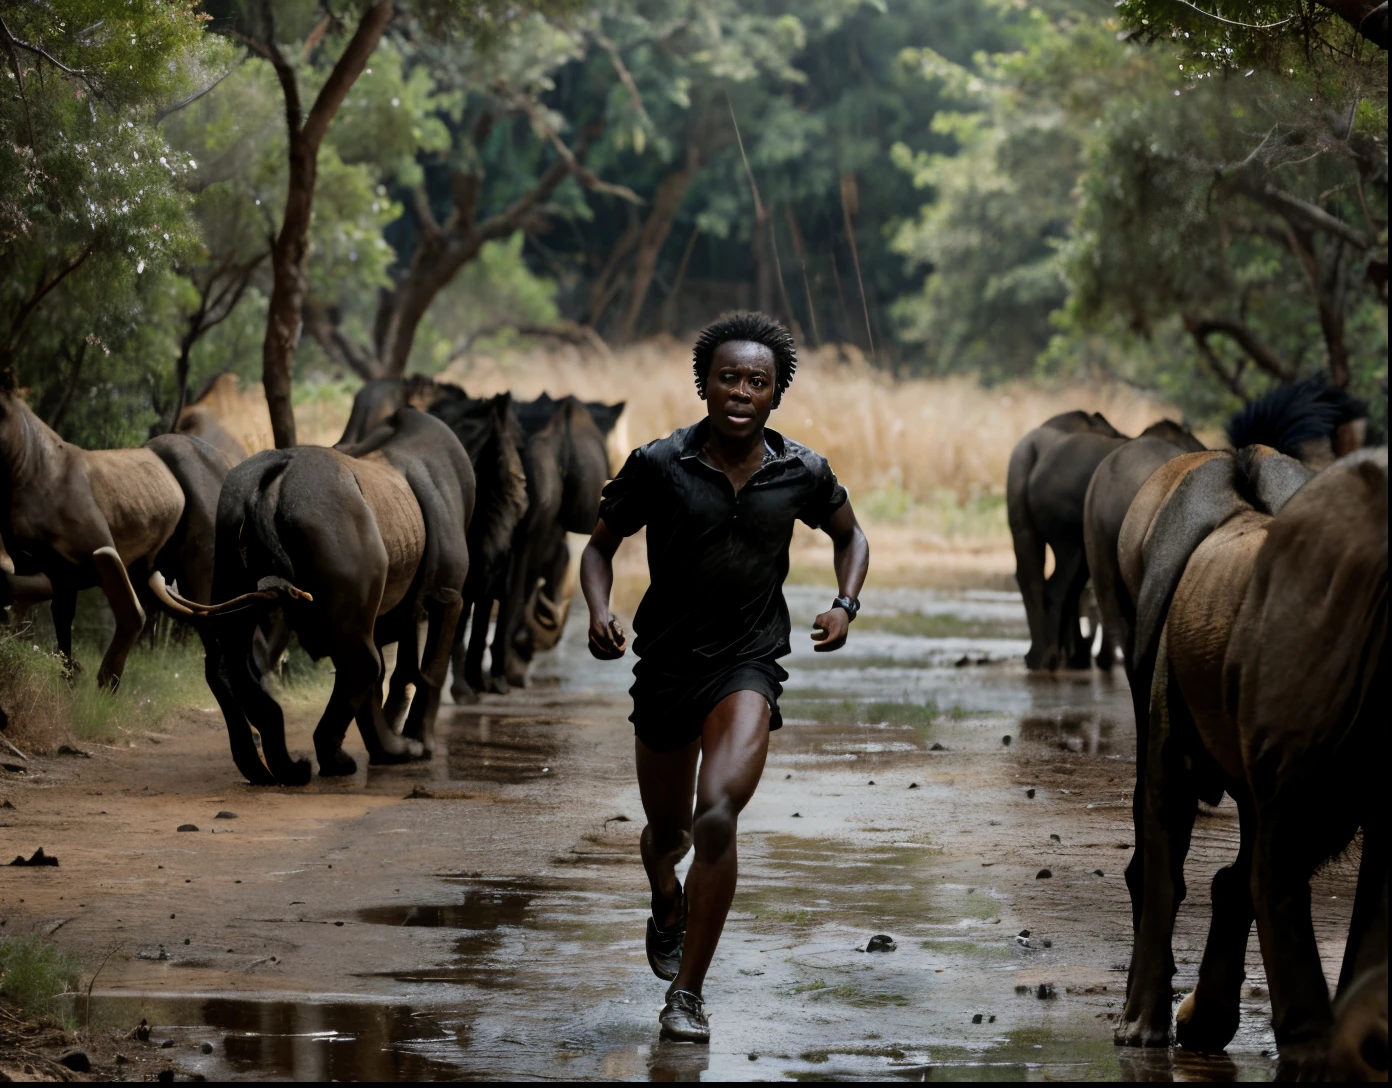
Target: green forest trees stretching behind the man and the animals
{"points": [[1187, 200]]}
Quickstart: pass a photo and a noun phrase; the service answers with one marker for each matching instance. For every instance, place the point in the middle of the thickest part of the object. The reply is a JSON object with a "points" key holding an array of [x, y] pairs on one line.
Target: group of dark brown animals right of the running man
{"points": [[1248, 593]]}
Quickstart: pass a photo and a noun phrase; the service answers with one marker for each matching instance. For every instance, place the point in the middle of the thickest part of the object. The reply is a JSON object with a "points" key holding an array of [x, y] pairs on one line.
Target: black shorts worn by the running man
{"points": [[670, 710]]}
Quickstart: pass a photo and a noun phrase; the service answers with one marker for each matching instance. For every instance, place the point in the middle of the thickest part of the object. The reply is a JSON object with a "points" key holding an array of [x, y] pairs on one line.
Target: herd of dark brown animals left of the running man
{"points": [[432, 507]]}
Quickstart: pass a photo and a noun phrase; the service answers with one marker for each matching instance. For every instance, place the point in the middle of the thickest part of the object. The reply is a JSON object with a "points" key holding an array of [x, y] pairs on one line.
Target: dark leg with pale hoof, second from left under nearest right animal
{"points": [[1208, 1019]]}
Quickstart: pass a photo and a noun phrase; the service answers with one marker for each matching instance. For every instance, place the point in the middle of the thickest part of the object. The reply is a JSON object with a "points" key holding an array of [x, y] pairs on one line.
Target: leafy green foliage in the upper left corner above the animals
{"points": [[93, 208]]}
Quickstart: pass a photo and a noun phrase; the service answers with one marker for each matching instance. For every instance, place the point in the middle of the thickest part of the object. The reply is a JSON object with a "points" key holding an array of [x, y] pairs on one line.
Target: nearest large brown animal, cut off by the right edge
{"points": [[1262, 641]]}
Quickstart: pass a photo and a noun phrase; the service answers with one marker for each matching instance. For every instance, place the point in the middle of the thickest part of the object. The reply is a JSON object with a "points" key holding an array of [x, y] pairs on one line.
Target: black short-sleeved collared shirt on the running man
{"points": [[716, 560]]}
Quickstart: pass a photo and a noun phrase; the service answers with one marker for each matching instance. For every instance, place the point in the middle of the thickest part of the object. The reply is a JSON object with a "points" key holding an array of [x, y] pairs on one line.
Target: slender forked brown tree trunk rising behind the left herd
{"points": [[287, 297]]}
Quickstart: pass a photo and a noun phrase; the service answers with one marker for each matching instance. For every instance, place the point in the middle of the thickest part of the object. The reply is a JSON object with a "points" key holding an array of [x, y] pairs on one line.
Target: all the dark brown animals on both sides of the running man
{"points": [[1247, 591]]}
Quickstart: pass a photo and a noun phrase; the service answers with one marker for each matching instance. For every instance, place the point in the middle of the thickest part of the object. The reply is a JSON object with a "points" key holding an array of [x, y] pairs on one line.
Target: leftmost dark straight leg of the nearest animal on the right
{"points": [[1169, 820]]}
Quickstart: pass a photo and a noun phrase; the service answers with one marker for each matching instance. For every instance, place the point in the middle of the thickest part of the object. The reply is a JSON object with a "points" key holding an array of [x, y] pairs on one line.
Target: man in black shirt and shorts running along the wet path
{"points": [[719, 502]]}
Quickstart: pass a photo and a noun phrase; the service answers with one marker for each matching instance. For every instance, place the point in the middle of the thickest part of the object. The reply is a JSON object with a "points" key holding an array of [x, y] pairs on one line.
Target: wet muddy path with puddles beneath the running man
{"points": [[482, 916]]}
